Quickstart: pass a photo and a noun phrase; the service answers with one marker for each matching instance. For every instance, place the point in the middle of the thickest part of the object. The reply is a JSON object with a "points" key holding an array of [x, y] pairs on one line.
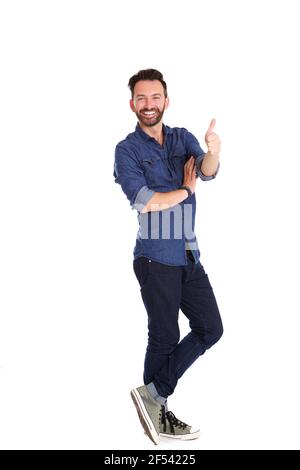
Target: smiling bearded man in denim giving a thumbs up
{"points": [[157, 167]]}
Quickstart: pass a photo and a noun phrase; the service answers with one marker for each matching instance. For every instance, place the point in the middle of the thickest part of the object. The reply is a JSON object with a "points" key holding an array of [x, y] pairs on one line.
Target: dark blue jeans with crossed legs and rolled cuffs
{"points": [[165, 290]]}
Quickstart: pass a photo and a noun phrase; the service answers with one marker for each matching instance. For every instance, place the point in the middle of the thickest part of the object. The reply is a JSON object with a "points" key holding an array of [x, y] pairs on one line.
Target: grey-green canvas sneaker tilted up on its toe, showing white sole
{"points": [[149, 410]]}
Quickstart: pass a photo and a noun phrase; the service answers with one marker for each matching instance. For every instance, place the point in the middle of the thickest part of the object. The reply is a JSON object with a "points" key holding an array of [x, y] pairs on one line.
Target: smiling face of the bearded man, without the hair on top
{"points": [[149, 102]]}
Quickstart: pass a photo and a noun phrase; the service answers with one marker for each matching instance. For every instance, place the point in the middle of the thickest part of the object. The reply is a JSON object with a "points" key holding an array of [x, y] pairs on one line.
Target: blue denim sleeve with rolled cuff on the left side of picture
{"points": [[129, 174]]}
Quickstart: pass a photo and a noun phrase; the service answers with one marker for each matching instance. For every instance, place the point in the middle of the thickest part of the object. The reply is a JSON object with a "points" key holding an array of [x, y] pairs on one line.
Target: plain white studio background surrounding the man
{"points": [[73, 325]]}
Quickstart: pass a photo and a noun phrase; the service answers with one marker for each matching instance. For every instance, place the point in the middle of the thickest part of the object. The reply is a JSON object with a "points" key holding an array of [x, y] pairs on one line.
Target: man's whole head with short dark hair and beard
{"points": [[149, 97]]}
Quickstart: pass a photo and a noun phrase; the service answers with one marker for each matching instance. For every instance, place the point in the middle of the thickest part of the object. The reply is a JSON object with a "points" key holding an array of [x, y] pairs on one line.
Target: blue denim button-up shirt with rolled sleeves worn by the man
{"points": [[142, 166]]}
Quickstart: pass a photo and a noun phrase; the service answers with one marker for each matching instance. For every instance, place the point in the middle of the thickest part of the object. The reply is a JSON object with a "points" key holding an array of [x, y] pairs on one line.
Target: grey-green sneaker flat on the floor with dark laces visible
{"points": [[170, 426]]}
